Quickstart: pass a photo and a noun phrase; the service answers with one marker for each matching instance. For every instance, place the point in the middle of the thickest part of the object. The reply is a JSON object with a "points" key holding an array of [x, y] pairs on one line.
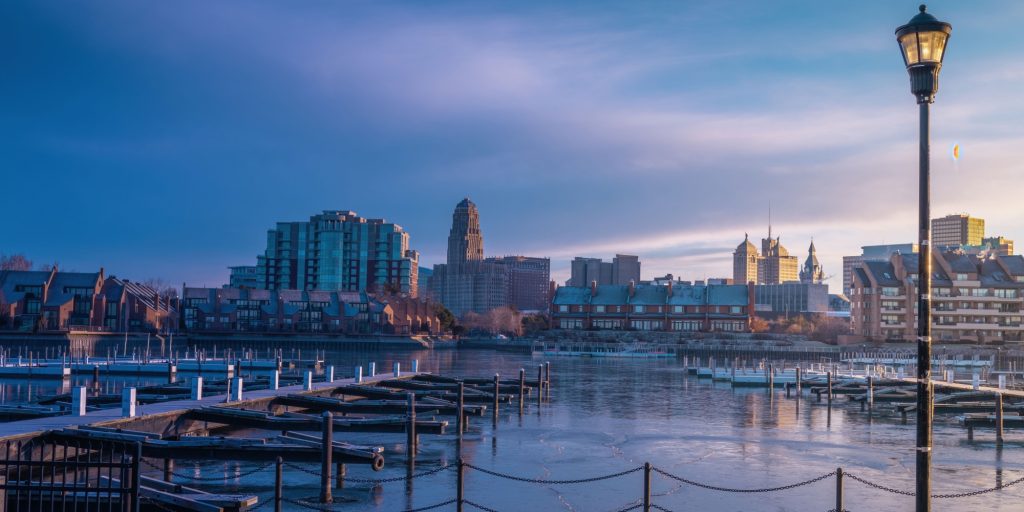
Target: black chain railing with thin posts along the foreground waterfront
{"points": [[646, 501]]}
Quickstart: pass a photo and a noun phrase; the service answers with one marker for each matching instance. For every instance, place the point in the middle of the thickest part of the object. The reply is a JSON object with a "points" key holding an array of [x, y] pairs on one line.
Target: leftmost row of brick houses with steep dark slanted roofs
{"points": [[57, 302]]}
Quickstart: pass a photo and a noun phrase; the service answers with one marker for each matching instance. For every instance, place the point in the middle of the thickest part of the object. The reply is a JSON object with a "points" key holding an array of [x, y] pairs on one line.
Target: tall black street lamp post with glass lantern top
{"points": [[923, 45]]}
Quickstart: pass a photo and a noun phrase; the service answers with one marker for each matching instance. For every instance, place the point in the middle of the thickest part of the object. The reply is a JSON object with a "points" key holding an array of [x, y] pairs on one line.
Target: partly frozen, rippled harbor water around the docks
{"points": [[610, 415]]}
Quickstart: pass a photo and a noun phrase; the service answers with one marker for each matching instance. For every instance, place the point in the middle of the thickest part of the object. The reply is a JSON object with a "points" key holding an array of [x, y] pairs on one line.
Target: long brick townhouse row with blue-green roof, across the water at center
{"points": [[654, 308]]}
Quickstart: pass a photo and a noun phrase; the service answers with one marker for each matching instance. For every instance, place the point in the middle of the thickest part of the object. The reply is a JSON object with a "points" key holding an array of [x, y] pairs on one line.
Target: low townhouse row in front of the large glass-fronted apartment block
{"points": [[243, 310]]}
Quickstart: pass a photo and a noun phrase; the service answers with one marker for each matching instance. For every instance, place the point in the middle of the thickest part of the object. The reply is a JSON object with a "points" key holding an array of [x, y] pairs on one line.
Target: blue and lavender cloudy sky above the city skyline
{"points": [[162, 140]]}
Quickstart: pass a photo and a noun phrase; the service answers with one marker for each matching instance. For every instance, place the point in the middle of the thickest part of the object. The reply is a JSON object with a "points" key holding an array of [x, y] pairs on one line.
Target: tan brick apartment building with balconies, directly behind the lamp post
{"points": [[974, 300]]}
